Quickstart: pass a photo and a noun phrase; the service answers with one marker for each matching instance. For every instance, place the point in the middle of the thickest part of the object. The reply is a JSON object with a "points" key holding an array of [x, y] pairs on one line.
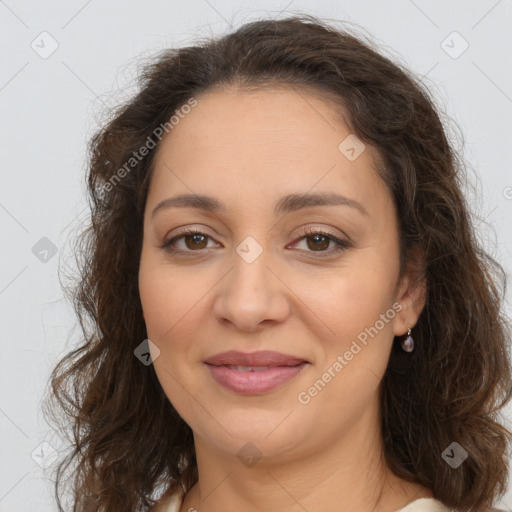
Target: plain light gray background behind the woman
{"points": [[51, 106]]}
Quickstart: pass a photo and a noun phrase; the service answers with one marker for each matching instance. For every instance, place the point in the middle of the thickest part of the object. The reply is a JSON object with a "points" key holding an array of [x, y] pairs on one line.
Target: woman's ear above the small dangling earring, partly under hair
{"points": [[411, 292]]}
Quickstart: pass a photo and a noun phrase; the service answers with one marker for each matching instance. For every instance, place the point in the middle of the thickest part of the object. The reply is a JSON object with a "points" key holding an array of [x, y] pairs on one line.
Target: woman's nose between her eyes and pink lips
{"points": [[251, 295]]}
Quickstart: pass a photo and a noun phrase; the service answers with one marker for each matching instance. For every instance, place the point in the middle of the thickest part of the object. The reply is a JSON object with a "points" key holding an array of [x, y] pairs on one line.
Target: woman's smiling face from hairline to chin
{"points": [[259, 277]]}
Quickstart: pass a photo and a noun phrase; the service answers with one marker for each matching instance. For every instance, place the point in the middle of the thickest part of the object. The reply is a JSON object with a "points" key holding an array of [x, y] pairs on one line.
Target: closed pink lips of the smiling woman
{"points": [[281, 368]]}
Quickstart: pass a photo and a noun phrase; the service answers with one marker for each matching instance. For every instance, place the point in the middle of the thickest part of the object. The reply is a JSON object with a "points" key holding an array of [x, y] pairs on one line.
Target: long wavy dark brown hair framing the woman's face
{"points": [[128, 442]]}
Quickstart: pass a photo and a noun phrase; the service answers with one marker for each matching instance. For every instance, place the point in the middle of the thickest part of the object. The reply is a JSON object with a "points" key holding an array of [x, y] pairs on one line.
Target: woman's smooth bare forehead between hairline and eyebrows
{"points": [[263, 144]]}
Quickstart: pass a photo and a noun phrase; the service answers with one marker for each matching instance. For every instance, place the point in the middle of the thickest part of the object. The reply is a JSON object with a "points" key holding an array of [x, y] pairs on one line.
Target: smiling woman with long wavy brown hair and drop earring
{"points": [[290, 309]]}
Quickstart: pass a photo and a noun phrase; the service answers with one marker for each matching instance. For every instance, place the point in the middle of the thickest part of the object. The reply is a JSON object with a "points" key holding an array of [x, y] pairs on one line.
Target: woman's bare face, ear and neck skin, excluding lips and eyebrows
{"points": [[248, 149]]}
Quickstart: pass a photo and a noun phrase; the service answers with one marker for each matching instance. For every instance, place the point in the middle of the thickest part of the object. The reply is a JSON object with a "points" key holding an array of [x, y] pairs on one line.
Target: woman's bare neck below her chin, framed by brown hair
{"points": [[347, 472]]}
